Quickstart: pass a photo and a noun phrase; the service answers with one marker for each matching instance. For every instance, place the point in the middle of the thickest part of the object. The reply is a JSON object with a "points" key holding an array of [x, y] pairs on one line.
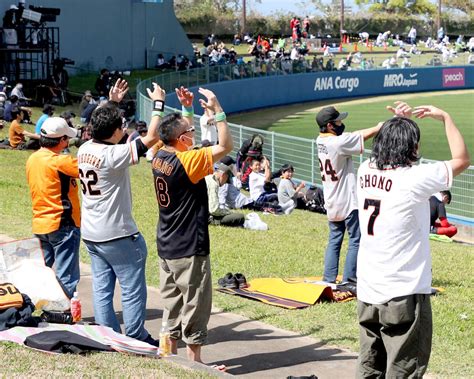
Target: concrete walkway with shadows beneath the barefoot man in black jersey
{"points": [[249, 349]]}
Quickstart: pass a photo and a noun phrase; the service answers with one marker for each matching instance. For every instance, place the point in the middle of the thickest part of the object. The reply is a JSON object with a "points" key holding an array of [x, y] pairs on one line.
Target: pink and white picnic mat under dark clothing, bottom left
{"points": [[102, 334]]}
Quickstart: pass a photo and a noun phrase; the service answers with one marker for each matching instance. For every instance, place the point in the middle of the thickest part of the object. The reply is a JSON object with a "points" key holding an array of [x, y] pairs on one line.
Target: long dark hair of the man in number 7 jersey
{"points": [[396, 144]]}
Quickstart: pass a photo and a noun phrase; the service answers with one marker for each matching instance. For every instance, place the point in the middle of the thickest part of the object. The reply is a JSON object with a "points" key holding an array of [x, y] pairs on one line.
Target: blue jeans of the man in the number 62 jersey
{"points": [[123, 259]]}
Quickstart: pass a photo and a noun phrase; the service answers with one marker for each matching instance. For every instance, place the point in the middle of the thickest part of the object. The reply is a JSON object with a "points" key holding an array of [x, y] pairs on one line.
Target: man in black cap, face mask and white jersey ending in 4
{"points": [[335, 150]]}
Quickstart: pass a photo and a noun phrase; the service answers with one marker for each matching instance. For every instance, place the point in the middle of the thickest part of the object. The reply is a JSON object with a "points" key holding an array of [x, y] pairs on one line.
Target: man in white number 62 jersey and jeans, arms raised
{"points": [[116, 247]]}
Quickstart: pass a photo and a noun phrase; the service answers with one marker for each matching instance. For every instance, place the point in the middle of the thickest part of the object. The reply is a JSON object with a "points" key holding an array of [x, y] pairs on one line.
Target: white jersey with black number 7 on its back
{"points": [[394, 216]]}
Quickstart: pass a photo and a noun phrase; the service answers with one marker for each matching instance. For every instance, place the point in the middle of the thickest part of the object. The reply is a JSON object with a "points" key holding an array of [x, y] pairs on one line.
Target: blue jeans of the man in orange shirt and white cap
{"points": [[61, 249]]}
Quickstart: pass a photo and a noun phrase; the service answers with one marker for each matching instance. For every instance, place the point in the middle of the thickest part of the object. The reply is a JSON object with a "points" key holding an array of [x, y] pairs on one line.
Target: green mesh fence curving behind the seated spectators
{"points": [[282, 148]]}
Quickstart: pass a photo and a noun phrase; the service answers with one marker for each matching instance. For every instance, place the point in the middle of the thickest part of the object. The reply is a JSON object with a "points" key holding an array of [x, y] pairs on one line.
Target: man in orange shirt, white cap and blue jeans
{"points": [[54, 194]]}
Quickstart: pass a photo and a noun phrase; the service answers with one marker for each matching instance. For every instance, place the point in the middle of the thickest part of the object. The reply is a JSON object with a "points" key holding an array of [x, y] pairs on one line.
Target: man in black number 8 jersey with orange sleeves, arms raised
{"points": [[182, 236]]}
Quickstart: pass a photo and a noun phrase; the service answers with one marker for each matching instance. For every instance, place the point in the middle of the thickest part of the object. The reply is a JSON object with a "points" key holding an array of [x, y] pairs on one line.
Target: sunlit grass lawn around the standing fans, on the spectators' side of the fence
{"points": [[293, 246]]}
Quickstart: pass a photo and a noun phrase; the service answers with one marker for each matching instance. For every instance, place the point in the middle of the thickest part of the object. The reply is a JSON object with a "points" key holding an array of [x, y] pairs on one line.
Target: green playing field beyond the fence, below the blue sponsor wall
{"points": [[299, 119]]}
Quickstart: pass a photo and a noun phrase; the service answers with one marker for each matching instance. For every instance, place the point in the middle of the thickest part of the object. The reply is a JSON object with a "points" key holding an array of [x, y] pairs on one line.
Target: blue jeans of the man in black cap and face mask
{"points": [[333, 250]]}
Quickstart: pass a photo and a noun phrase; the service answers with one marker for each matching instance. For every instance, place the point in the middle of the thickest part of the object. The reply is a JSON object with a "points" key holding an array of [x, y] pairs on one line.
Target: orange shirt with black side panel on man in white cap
{"points": [[54, 190]]}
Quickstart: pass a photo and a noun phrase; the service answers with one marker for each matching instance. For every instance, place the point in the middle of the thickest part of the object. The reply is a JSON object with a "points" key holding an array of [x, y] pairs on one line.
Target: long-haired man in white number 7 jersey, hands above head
{"points": [[394, 262]]}
